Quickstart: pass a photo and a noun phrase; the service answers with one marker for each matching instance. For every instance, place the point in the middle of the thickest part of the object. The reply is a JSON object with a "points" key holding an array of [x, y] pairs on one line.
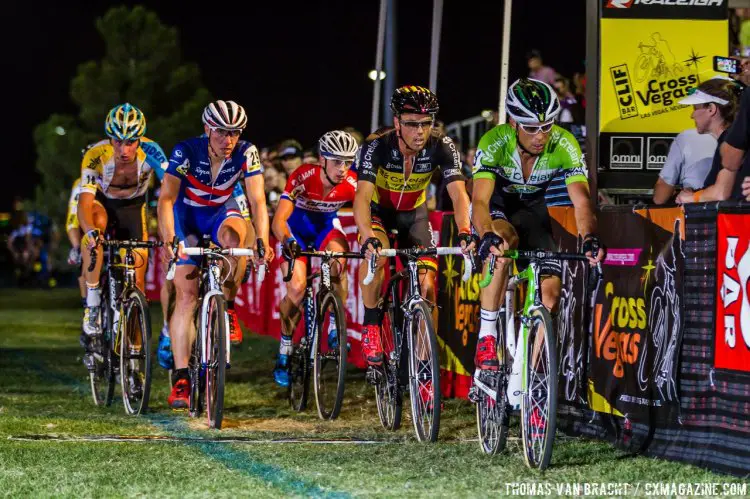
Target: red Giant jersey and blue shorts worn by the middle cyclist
{"points": [[313, 223]]}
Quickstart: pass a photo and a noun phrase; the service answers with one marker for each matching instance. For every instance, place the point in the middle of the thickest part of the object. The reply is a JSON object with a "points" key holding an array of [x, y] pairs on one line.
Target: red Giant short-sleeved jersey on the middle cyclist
{"points": [[305, 189]]}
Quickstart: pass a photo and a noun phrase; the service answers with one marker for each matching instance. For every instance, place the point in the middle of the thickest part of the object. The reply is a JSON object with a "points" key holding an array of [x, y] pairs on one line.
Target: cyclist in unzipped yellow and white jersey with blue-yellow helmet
{"points": [[115, 176]]}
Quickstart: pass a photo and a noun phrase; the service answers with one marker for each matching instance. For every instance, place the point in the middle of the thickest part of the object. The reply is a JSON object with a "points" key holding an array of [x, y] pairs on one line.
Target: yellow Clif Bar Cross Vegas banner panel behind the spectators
{"points": [[653, 54]]}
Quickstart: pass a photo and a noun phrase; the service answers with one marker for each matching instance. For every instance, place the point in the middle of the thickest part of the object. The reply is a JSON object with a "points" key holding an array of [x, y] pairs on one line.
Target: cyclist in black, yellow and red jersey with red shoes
{"points": [[394, 168]]}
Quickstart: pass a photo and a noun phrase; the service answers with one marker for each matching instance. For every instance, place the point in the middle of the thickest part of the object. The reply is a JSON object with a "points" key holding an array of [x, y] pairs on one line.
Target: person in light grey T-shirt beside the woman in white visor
{"points": [[687, 165]]}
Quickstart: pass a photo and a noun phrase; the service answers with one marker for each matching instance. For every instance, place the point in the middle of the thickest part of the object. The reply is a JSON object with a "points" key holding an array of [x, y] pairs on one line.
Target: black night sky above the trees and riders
{"points": [[299, 68]]}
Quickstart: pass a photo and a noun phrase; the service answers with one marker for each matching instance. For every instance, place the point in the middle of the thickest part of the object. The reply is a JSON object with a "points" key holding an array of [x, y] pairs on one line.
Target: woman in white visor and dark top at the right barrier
{"points": [[715, 104]]}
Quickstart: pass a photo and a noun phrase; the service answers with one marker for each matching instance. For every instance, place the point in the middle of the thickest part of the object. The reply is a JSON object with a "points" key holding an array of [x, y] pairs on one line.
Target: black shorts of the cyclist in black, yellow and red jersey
{"points": [[414, 229]]}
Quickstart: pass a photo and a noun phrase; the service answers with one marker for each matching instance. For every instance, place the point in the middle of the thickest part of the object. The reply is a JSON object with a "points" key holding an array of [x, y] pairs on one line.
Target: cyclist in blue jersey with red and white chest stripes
{"points": [[196, 200]]}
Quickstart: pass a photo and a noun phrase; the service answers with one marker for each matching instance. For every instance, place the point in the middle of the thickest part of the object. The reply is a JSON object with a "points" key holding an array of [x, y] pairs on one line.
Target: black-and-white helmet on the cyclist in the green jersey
{"points": [[531, 101]]}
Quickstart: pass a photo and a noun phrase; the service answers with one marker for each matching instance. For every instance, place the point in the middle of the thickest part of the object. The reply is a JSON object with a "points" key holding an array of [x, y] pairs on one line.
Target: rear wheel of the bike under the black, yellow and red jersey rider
{"points": [[388, 392]]}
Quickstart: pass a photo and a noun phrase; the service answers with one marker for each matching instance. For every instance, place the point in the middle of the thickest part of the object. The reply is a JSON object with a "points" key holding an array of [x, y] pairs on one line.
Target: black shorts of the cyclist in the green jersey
{"points": [[534, 229]]}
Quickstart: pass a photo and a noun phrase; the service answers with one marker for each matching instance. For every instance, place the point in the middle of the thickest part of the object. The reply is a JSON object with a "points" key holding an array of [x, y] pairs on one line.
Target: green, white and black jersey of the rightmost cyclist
{"points": [[497, 158]]}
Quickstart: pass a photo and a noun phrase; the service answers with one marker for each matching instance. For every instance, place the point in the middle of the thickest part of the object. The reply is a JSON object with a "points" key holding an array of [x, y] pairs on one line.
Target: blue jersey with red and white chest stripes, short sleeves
{"points": [[189, 162]]}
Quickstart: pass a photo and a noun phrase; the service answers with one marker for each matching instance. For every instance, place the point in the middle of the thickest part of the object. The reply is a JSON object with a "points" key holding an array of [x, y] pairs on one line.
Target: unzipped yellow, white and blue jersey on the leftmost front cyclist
{"points": [[98, 168]]}
